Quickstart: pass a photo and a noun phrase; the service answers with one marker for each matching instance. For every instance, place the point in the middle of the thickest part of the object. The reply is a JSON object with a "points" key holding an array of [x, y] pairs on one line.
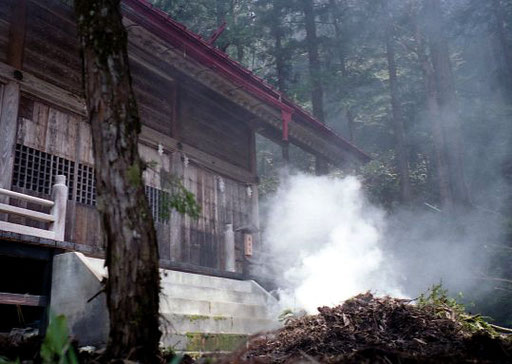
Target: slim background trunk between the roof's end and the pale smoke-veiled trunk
{"points": [[397, 119]]}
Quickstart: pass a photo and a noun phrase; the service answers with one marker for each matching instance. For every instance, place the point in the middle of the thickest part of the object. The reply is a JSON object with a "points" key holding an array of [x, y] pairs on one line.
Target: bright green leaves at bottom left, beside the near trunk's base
{"points": [[56, 347]]}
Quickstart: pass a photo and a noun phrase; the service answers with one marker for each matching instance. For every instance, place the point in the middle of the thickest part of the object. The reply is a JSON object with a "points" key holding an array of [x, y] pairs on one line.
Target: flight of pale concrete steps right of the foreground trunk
{"points": [[211, 313]]}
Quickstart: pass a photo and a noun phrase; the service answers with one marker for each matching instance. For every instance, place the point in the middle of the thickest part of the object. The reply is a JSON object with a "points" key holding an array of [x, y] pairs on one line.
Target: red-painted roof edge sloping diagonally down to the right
{"points": [[192, 45]]}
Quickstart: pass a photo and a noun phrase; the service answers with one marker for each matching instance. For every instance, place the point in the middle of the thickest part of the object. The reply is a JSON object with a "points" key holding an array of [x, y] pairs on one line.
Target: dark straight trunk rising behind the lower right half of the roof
{"points": [[315, 72]]}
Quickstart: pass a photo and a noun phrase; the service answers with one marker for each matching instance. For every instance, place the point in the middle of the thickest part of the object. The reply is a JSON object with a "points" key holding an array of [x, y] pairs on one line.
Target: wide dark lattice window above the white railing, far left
{"points": [[36, 170]]}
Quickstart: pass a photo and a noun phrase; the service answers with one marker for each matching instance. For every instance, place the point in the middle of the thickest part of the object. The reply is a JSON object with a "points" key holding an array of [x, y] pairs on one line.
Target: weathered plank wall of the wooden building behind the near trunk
{"points": [[52, 139]]}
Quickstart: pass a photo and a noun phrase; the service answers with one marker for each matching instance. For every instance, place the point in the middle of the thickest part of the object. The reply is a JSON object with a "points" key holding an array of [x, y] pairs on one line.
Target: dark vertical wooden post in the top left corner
{"points": [[17, 33]]}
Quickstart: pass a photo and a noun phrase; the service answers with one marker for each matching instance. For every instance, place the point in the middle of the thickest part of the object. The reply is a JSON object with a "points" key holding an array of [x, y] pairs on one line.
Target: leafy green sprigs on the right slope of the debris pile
{"points": [[437, 299]]}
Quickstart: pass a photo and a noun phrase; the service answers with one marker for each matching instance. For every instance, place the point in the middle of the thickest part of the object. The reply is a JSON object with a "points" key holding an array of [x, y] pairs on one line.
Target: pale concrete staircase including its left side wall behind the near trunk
{"points": [[202, 313]]}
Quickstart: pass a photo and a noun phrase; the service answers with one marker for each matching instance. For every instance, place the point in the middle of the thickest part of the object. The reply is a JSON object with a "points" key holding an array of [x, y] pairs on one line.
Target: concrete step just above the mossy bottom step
{"points": [[183, 324]]}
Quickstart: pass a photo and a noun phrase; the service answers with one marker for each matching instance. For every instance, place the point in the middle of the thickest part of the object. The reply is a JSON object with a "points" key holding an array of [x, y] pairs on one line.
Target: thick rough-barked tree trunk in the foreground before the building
{"points": [[133, 283]]}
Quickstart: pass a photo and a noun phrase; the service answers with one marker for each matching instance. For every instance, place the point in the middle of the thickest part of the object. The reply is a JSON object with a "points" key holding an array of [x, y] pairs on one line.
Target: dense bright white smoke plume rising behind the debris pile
{"points": [[326, 242]]}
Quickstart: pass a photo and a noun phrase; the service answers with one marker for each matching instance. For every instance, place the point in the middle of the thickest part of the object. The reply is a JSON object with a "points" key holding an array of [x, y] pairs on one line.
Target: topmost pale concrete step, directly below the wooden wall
{"points": [[197, 280]]}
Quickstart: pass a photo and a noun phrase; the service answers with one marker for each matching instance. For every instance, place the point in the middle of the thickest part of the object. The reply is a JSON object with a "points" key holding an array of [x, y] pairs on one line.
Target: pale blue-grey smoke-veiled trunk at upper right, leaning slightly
{"points": [[447, 101]]}
